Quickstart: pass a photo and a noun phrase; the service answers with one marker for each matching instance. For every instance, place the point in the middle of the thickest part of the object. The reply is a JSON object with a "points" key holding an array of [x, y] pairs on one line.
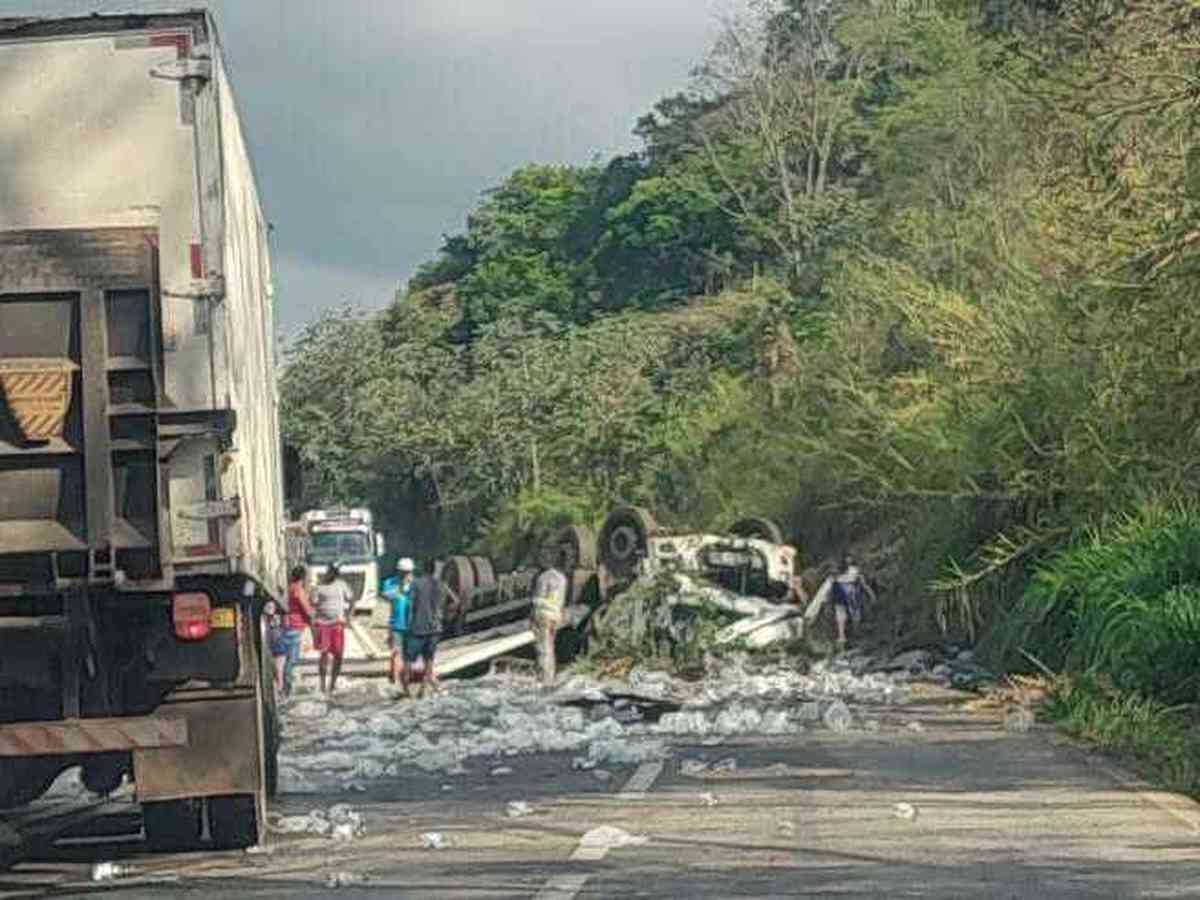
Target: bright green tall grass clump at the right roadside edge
{"points": [[1123, 603]]}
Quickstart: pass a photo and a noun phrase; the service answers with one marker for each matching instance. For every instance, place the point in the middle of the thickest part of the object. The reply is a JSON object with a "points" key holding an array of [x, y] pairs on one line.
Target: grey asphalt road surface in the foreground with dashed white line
{"points": [[998, 815]]}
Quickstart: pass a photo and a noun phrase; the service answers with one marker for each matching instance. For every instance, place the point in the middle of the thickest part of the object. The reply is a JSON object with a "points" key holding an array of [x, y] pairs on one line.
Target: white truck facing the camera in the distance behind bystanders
{"points": [[347, 537]]}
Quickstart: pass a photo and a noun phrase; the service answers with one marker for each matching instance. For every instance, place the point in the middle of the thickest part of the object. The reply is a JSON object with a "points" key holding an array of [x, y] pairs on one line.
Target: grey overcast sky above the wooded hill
{"points": [[376, 124]]}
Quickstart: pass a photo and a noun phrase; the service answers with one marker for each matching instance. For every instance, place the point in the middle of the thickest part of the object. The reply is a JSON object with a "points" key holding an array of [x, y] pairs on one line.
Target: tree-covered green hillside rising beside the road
{"points": [[911, 278]]}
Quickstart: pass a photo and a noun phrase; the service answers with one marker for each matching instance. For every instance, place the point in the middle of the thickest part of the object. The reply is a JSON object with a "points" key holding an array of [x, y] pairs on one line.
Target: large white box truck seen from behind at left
{"points": [[141, 483]]}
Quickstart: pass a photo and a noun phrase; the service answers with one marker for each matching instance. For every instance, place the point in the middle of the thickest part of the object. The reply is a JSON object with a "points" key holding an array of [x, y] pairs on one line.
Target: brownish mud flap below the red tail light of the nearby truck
{"points": [[221, 758]]}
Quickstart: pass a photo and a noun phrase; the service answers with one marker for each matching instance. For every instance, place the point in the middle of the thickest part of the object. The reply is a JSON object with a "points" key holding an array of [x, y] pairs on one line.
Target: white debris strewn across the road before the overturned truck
{"points": [[365, 735]]}
